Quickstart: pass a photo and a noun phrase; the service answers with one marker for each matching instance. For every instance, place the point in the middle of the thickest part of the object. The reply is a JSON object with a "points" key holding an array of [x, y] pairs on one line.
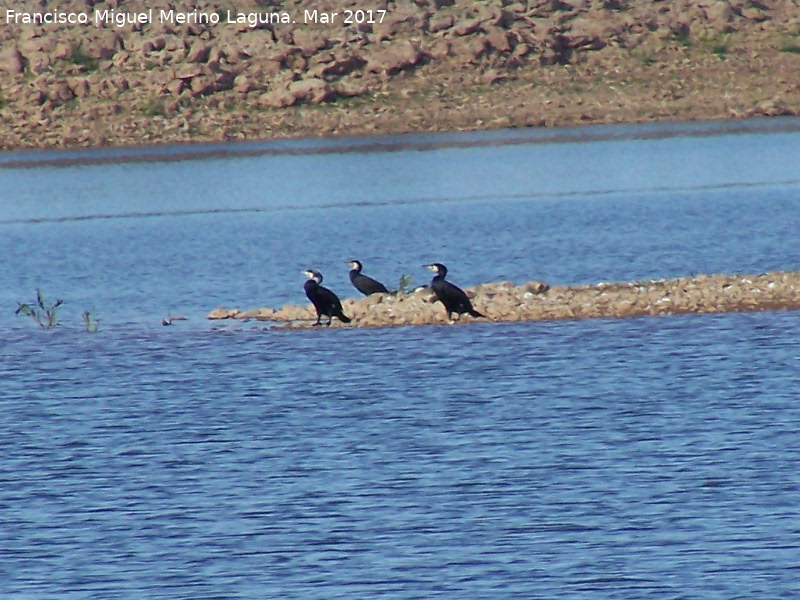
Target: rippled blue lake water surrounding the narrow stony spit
{"points": [[640, 458]]}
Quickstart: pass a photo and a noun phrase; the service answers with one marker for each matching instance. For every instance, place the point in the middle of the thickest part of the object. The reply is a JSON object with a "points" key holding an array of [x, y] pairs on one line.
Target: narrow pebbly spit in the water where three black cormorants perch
{"points": [[536, 301]]}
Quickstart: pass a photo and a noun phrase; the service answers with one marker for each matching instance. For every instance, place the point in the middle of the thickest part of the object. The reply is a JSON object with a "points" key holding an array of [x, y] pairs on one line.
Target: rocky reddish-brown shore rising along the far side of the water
{"points": [[431, 65]]}
